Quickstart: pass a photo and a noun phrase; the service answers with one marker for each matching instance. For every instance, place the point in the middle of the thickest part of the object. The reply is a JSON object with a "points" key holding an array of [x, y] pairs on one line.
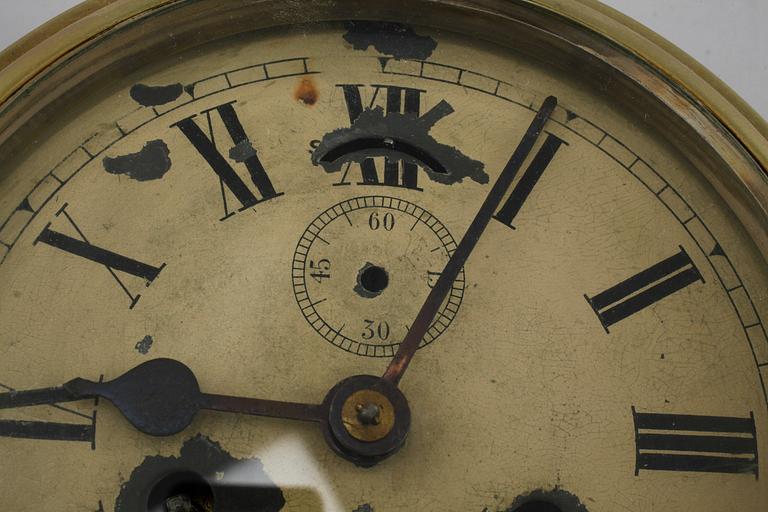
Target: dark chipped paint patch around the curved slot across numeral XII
{"points": [[399, 137]]}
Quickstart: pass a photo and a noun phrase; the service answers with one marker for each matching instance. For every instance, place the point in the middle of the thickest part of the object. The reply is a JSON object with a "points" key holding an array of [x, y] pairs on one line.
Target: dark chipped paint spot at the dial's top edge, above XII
{"points": [[393, 39]]}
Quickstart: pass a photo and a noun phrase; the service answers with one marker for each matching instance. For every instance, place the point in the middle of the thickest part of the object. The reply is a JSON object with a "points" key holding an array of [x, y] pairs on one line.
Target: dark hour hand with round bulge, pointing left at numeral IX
{"points": [[160, 398]]}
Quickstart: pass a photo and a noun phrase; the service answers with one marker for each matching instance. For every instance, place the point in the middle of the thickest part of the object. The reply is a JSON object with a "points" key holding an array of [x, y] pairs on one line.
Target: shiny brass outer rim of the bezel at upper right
{"points": [[676, 65]]}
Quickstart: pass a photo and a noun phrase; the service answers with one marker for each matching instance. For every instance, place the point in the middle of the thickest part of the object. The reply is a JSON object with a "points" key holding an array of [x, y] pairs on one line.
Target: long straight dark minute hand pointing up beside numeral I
{"points": [[431, 306]]}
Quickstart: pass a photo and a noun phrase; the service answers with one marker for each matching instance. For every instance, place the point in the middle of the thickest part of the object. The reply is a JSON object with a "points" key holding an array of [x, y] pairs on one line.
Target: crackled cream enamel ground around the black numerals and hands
{"points": [[544, 400]]}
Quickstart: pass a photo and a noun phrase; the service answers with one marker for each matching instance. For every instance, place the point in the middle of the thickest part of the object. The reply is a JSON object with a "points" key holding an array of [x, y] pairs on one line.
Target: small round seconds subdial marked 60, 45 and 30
{"points": [[364, 264]]}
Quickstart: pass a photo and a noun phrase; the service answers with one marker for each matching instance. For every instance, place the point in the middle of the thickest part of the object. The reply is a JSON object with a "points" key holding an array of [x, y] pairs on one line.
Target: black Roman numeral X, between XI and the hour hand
{"points": [[112, 261]]}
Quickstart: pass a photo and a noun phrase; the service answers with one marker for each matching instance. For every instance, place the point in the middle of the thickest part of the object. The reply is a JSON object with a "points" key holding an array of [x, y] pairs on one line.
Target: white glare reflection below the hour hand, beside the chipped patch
{"points": [[288, 464]]}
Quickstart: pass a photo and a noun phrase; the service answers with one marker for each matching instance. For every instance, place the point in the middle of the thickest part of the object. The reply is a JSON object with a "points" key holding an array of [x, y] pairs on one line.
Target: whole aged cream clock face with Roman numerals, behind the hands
{"points": [[273, 210]]}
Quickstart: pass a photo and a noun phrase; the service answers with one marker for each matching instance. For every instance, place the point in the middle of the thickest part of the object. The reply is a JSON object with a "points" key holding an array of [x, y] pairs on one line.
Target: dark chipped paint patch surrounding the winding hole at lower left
{"points": [[205, 459]]}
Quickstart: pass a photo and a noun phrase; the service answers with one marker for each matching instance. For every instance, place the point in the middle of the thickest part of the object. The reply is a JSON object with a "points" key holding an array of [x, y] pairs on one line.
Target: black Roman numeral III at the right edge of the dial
{"points": [[679, 442]]}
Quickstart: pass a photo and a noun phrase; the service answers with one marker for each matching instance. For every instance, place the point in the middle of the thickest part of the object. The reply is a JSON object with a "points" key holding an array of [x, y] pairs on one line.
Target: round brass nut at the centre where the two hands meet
{"points": [[355, 414]]}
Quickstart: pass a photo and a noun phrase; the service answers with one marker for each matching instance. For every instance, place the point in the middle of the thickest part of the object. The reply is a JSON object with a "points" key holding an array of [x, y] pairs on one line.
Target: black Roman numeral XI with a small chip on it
{"points": [[243, 152]]}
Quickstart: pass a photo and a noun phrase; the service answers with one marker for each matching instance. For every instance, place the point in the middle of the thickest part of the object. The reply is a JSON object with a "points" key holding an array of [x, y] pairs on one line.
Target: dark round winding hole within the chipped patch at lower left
{"points": [[182, 491]]}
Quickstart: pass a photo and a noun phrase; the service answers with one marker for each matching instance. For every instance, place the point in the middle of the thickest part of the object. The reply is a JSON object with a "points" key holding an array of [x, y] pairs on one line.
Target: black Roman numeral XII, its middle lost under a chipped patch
{"points": [[398, 99]]}
